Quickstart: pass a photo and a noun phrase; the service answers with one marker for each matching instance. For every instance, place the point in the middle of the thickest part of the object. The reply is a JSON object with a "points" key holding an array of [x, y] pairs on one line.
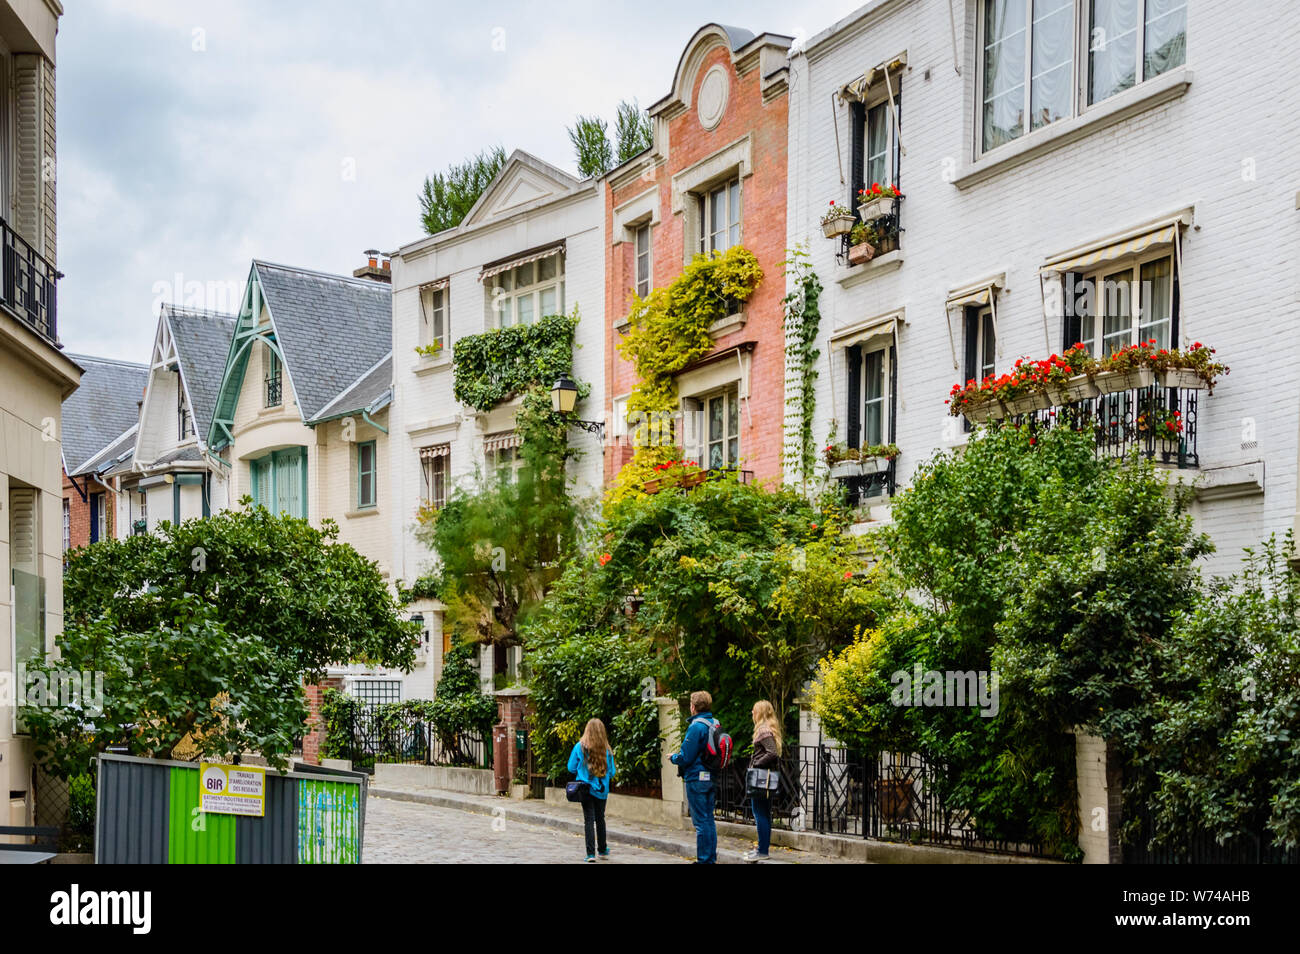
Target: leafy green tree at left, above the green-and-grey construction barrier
{"points": [[206, 631]]}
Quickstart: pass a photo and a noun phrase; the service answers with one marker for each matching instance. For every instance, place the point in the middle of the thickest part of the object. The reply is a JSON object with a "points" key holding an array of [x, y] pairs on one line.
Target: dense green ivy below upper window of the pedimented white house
{"points": [[496, 366]]}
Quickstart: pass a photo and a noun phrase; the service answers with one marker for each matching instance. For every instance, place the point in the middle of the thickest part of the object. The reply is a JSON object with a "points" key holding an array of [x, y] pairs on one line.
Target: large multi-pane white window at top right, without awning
{"points": [[1048, 60]]}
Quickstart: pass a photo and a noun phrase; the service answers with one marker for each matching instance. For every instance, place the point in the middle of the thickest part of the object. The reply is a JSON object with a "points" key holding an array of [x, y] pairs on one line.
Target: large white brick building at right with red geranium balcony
{"points": [[1186, 181]]}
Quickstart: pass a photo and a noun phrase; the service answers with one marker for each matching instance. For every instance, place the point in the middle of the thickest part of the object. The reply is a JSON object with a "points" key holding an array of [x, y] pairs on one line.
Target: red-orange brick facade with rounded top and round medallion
{"points": [[749, 142]]}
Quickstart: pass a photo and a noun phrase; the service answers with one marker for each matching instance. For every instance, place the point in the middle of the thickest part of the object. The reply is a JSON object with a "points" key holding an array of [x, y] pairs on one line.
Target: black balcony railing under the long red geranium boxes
{"points": [[1158, 423]]}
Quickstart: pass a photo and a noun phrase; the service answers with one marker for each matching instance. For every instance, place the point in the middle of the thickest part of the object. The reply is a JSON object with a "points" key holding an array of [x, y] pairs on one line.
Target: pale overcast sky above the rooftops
{"points": [[194, 137]]}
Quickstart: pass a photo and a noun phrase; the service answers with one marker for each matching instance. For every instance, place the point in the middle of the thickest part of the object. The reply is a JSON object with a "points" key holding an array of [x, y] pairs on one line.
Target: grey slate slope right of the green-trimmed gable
{"points": [[333, 331]]}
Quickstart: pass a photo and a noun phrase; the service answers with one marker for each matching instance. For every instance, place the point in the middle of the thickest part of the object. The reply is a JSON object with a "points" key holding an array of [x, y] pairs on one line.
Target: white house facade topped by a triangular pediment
{"points": [[531, 246]]}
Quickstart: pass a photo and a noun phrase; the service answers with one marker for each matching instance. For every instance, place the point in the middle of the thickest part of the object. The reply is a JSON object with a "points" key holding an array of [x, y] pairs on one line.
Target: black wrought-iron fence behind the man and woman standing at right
{"points": [[885, 796]]}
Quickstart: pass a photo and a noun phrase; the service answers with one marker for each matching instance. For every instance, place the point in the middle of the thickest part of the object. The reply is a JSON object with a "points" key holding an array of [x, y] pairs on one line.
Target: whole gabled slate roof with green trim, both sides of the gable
{"points": [[331, 332]]}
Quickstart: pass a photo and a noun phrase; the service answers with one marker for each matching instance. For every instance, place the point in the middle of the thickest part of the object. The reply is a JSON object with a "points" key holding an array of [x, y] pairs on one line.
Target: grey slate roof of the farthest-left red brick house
{"points": [[98, 413]]}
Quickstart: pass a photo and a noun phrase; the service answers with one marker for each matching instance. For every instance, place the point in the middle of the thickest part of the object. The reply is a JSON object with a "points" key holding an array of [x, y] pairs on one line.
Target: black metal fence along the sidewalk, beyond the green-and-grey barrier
{"points": [[378, 734]]}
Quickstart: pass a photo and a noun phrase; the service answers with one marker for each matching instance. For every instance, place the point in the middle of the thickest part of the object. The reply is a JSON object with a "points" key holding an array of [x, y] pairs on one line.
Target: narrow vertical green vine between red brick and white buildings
{"points": [[803, 320]]}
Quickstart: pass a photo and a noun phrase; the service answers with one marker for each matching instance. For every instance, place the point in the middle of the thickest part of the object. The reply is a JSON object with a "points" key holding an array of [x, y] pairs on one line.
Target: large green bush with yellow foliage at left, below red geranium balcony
{"points": [[1029, 556]]}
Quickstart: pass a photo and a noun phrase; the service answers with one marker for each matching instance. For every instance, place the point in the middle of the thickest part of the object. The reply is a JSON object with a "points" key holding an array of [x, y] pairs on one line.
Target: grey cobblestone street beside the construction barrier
{"points": [[411, 834]]}
